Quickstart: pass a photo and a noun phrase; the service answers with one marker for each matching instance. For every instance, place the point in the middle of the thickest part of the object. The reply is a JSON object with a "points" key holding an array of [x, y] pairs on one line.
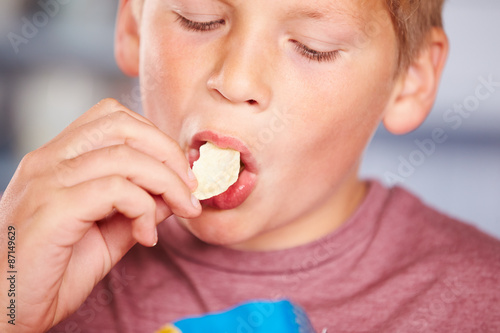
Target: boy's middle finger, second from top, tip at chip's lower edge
{"points": [[141, 169]]}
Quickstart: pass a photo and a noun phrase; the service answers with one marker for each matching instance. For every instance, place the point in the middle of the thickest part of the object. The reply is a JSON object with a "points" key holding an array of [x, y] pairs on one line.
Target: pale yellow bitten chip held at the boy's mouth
{"points": [[216, 170]]}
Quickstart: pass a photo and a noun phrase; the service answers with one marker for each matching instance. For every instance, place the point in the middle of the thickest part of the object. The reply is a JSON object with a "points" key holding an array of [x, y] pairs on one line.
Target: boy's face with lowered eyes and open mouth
{"points": [[302, 85]]}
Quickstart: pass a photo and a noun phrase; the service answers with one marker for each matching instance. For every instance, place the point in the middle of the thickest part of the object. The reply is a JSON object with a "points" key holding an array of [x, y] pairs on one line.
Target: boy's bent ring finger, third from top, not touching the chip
{"points": [[77, 208]]}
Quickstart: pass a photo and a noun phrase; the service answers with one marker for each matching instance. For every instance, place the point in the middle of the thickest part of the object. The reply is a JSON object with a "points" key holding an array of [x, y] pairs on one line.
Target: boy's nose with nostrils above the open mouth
{"points": [[241, 72]]}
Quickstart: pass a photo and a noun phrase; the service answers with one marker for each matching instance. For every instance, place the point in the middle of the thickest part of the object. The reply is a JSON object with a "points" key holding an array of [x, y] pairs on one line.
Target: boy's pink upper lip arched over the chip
{"points": [[224, 141]]}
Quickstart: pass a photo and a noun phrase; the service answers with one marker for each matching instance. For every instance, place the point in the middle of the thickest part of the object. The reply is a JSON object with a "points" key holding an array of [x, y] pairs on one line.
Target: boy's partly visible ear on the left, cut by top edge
{"points": [[127, 38]]}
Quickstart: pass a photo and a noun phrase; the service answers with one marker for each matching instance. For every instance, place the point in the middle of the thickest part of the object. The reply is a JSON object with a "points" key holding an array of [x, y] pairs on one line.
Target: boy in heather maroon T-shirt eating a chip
{"points": [[298, 88]]}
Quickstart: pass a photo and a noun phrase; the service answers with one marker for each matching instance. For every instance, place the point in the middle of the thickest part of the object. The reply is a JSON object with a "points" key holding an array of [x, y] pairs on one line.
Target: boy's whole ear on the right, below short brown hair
{"points": [[416, 89]]}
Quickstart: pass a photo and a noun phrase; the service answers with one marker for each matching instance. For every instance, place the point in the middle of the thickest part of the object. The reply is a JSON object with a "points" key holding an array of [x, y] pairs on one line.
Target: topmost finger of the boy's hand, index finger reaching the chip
{"points": [[125, 129]]}
